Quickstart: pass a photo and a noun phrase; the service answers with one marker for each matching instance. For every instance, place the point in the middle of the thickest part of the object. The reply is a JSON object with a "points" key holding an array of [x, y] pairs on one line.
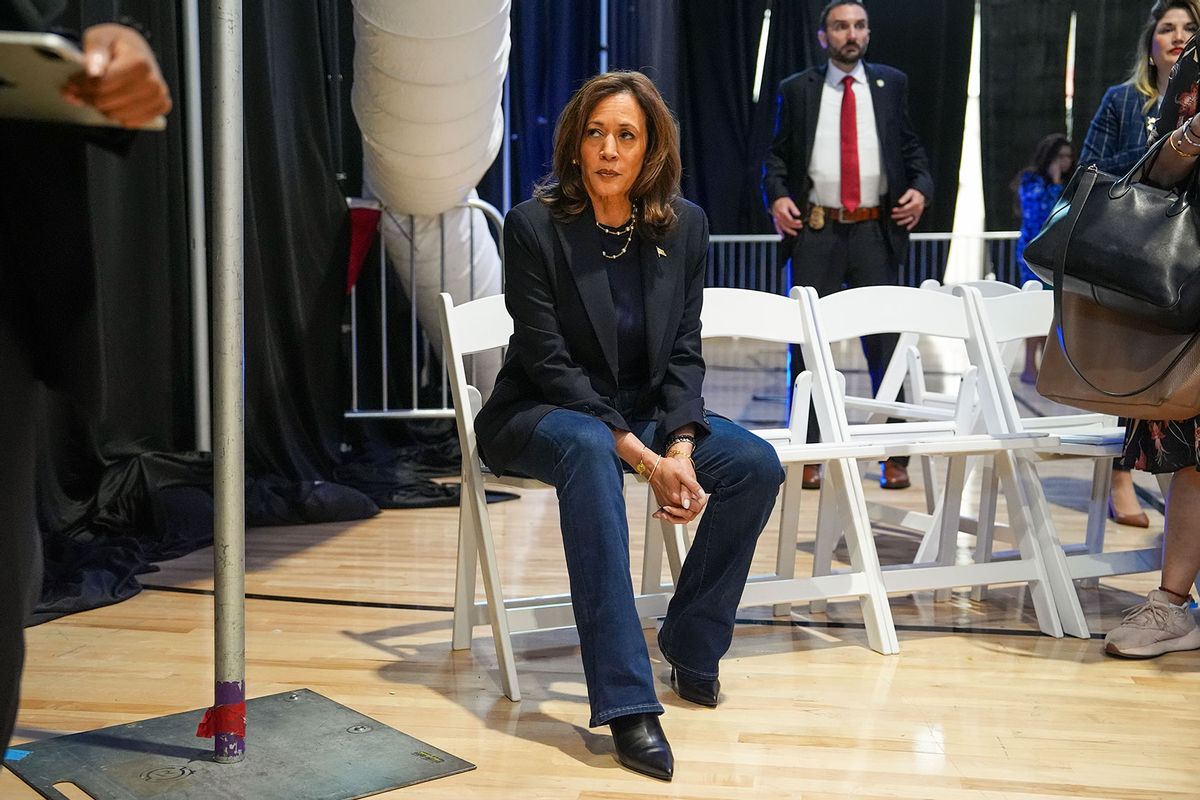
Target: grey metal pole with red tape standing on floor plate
{"points": [[229, 467]]}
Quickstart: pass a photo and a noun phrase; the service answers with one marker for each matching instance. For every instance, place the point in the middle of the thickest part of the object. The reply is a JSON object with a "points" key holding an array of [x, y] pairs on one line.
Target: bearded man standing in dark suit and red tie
{"points": [[845, 181]]}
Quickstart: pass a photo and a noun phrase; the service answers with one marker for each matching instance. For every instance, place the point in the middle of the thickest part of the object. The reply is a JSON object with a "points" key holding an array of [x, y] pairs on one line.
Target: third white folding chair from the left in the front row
{"points": [[854, 314]]}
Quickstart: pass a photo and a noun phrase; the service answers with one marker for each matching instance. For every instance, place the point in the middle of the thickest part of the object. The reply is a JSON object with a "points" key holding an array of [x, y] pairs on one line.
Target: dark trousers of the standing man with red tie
{"points": [[839, 256]]}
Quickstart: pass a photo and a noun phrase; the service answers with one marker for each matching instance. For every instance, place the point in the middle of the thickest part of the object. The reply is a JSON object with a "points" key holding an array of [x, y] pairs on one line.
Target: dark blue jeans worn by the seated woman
{"points": [[575, 453]]}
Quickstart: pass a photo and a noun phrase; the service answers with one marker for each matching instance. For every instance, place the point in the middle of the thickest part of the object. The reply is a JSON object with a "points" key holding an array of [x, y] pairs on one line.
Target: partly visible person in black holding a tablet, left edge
{"points": [[49, 329]]}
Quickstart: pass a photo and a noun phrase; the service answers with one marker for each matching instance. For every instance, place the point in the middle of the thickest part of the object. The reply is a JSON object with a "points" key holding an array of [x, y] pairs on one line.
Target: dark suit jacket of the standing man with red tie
{"points": [[785, 171]]}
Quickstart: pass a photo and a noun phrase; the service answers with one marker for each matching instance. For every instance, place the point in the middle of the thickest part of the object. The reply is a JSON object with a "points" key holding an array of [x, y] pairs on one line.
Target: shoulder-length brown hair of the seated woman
{"points": [[657, 185]]}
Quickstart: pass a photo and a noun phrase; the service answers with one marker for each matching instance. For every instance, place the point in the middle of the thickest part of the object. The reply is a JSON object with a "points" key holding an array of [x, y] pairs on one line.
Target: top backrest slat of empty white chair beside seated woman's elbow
{"points": [[748, 314]]}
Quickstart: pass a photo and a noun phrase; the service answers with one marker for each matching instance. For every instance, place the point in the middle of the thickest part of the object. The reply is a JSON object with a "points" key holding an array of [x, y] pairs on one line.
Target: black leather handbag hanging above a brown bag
{"points": [[1127, 246]]}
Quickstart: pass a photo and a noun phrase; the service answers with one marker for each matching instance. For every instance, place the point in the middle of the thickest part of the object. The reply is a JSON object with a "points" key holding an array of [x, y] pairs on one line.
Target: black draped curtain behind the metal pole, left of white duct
{"points": [[122, 491]]}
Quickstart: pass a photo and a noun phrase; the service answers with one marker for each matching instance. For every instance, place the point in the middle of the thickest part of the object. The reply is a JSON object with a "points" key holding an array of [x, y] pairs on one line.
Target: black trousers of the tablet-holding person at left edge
{"points": [[21, 552]]}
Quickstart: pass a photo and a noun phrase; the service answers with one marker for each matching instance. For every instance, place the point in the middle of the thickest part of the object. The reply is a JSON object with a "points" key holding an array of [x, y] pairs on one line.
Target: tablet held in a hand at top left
{"points": [[34, 69]]}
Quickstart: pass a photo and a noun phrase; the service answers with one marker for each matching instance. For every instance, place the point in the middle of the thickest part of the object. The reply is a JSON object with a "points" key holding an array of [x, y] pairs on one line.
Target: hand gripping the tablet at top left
{"points": [[121, 79]]}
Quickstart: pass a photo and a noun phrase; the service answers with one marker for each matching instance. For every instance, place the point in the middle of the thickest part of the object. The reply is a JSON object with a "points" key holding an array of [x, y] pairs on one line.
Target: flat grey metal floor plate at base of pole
{"points": [[299, 747]]}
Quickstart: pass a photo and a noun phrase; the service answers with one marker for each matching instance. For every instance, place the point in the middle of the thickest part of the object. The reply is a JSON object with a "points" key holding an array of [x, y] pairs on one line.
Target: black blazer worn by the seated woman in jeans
{"points": [[563, 352]]}
